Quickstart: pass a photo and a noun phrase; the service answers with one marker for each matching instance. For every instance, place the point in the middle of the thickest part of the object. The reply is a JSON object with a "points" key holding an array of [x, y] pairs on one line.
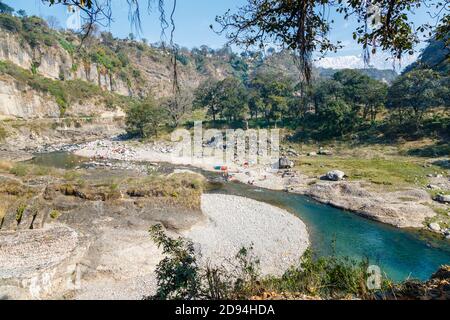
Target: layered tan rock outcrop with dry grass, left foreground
{"points": [[81, 244]]}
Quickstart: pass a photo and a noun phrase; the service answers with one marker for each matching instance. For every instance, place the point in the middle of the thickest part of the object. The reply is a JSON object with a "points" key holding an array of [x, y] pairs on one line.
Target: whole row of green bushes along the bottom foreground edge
{"points": [[180, 277]]}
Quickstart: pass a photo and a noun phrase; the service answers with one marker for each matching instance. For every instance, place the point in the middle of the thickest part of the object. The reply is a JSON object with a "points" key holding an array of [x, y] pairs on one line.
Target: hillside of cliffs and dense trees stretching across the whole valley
{"points": [[239, 90]]}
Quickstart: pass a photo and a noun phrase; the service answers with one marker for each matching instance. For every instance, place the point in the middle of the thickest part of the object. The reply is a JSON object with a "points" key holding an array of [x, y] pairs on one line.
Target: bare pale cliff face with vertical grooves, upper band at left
{"points": [[155, 68]]}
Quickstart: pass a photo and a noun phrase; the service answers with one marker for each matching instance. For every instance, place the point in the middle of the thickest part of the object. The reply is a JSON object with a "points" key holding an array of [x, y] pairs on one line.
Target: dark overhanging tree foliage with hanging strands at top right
{"points": [[304, 26]]}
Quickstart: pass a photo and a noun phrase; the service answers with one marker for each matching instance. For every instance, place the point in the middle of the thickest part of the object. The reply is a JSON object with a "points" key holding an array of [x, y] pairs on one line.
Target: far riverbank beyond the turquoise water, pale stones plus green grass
{"points": [[394, 190]]}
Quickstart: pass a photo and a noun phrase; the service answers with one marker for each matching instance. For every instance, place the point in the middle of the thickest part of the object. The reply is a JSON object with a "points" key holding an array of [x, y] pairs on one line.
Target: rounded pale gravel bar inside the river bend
{"points": [[278, 238]]}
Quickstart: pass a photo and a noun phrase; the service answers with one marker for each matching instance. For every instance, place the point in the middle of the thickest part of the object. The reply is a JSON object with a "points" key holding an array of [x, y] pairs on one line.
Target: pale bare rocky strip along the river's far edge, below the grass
{"points": [[404, 207]]}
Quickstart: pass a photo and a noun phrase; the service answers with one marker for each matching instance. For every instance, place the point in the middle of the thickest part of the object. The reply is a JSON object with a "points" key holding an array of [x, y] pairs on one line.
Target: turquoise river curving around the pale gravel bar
{"points": [[400, 253]]}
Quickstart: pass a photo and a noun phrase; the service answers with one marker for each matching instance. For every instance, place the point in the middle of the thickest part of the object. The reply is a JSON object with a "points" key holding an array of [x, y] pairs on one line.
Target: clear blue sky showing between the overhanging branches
{"points": [[193, 18]]}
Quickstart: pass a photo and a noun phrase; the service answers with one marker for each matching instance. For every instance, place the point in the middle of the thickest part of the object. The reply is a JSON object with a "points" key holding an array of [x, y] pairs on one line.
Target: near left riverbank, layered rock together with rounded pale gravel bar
{"points": [[94, 235]]}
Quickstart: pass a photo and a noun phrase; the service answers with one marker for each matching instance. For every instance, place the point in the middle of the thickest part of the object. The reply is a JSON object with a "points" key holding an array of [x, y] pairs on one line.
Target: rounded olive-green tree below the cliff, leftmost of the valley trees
{"points": [[145, 118]]}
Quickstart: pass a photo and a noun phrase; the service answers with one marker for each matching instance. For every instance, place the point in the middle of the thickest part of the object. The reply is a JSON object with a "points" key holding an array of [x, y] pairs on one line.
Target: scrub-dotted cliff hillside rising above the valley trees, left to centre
{"points": [[140, 66]]}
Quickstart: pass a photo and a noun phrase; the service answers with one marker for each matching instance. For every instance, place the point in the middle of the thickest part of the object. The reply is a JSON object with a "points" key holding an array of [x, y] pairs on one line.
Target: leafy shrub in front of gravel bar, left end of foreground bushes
{"points": [[179, 276]]}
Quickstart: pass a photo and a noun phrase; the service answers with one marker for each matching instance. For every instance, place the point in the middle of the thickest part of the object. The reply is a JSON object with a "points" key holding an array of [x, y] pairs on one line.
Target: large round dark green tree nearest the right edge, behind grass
{"points": [[413, 94]]}
